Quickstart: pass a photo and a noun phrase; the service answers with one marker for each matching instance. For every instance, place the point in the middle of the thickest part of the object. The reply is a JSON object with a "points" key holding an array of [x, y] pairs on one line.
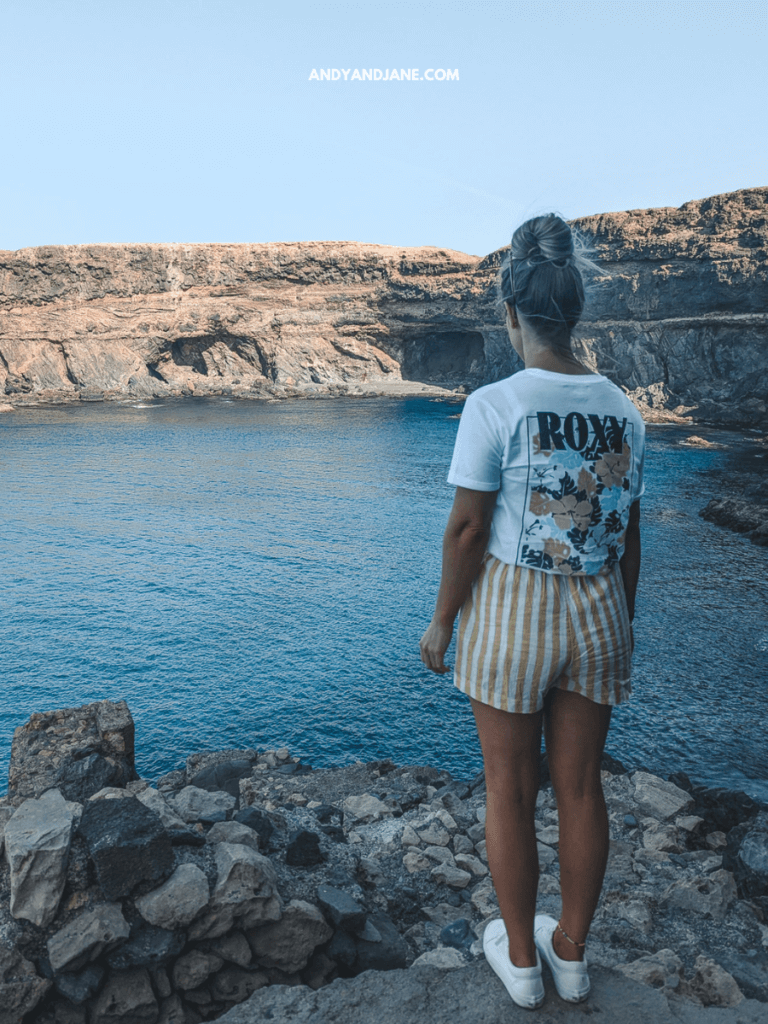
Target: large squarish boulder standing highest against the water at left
{"points": [[77, 750]]}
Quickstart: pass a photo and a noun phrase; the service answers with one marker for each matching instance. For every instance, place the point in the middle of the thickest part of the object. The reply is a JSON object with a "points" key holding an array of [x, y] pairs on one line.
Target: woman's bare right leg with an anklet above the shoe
{"points": [[575, 731]]}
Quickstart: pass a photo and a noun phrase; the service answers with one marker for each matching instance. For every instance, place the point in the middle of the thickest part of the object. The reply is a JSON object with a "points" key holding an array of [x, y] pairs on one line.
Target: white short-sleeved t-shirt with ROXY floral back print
{"points": [[567, 451]]}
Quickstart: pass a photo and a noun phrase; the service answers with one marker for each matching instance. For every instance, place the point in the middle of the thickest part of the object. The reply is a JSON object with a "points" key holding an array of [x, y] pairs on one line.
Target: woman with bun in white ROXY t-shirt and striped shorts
{"points": [[541, 559]]}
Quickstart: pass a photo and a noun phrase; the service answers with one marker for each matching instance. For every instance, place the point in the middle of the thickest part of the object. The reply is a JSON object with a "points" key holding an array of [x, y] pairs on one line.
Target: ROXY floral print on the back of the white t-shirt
{"points": [[578, 495]]}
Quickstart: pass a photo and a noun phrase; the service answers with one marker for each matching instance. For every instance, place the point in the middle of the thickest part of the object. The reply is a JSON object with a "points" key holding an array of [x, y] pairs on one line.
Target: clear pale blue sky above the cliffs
{"points": [[196, 120]]}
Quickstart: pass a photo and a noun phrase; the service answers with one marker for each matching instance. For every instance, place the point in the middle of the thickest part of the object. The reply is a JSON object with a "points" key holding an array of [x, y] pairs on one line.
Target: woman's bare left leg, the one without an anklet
{"points": [[511, 746]]}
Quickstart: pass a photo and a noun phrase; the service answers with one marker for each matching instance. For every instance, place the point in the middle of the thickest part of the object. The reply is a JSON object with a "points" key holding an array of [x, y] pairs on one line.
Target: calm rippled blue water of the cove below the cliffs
{"points": [[247, 574]]}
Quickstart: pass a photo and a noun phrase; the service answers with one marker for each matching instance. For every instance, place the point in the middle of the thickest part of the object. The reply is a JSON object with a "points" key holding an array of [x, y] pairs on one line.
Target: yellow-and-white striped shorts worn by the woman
{"points": [[523, 631]]}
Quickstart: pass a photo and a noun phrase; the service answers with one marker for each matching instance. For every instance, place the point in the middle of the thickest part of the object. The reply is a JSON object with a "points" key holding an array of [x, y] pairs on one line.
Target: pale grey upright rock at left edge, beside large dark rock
{"points": [[37, 845]]}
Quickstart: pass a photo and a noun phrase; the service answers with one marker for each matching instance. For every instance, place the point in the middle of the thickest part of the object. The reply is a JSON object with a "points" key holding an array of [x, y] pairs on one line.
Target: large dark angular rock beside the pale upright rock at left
{"points": [[127, 843]]}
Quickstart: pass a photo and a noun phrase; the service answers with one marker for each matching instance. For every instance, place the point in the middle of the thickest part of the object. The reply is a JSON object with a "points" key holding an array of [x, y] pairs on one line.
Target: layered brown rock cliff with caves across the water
{"points": [[679, 317]]}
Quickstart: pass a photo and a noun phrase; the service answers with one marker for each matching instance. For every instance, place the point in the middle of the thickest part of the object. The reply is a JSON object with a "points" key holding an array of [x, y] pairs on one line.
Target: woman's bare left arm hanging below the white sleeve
{"points": [[464, 545]]}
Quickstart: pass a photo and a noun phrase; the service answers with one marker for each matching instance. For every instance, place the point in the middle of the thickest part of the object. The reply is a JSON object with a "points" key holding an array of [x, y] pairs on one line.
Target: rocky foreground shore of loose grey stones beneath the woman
{"points": [[248, 878]]}
